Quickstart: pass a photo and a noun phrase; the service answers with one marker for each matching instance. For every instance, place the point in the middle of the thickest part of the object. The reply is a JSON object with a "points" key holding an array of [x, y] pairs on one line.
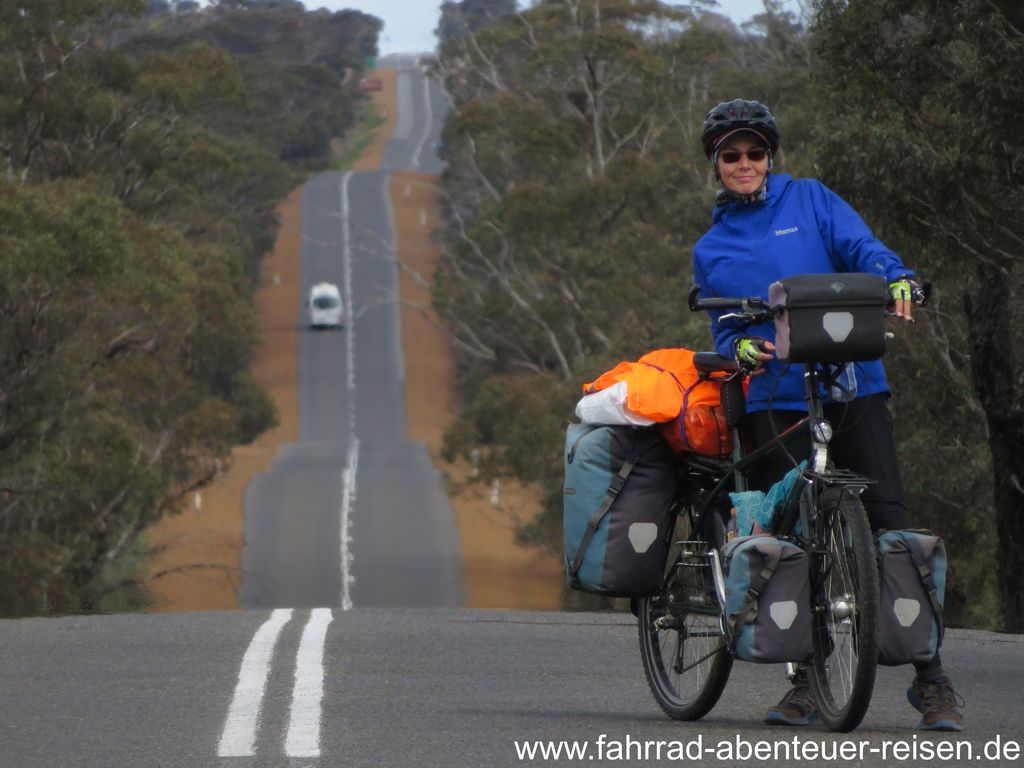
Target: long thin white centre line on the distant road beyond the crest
{"points": [[350, 475]]}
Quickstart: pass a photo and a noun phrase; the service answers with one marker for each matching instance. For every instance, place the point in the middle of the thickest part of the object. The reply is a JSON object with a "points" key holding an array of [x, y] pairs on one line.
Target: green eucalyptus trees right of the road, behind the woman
{"points": [[576, 188]]}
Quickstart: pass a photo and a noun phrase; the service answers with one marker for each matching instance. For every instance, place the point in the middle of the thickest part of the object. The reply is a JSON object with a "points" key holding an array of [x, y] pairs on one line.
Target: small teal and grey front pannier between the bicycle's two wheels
{"points": [[767, 601]]}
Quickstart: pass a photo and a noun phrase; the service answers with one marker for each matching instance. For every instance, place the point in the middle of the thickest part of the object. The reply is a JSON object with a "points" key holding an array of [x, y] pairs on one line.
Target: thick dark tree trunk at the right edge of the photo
{"points": [[987, 303]]}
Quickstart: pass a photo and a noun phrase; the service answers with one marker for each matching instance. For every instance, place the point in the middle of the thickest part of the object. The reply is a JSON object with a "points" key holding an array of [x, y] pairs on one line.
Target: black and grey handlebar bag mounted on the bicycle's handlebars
{"points": [[830, 318]]}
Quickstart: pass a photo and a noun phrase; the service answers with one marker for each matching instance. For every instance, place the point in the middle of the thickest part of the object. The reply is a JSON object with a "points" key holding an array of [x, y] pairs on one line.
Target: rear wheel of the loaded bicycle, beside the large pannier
{"points": [[686, 656]]}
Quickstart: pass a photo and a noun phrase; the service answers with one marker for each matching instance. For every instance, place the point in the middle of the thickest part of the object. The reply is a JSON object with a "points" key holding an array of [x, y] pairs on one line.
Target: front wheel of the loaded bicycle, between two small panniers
{"points": [[846, 613]]}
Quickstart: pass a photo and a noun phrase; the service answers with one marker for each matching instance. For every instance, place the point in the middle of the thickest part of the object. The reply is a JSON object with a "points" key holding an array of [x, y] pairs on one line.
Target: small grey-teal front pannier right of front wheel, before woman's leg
{"points": [[913, 582]]}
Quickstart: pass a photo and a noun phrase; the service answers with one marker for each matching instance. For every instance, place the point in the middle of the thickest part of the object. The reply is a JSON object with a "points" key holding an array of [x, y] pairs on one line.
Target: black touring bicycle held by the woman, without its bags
{"points": [[684, 629]]}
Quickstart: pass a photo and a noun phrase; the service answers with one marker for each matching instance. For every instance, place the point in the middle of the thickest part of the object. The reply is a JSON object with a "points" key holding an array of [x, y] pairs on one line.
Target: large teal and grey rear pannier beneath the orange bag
{"points": [[617, 518]]}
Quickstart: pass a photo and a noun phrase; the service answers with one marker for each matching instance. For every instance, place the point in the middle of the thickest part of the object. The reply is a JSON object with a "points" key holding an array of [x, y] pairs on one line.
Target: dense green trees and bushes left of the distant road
{"points": [[140, 195]]}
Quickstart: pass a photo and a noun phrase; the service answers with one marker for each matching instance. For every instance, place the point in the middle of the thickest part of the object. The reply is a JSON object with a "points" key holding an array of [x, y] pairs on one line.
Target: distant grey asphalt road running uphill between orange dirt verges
{"points": [[354, 514]]}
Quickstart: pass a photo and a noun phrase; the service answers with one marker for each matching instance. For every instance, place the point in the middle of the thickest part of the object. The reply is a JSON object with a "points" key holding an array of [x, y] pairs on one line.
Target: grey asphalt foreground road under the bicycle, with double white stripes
{"points": [[445, 689]]}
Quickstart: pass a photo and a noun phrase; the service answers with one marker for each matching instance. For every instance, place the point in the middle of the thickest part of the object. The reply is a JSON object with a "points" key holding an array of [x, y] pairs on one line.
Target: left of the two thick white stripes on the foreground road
{"points": [[239, 737]]}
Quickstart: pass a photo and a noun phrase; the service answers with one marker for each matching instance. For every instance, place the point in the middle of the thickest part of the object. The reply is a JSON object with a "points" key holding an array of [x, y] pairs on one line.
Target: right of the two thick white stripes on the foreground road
{"points": [[308, 696]]}
